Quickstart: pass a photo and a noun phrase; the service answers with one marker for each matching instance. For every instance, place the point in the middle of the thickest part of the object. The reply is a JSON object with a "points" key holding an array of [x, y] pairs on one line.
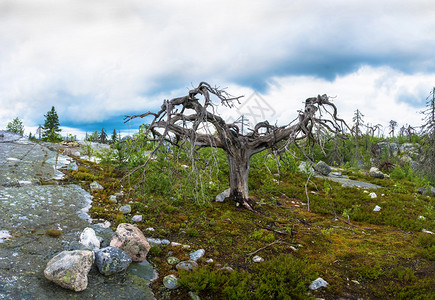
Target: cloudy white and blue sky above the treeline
{"points": [[99, 60]]}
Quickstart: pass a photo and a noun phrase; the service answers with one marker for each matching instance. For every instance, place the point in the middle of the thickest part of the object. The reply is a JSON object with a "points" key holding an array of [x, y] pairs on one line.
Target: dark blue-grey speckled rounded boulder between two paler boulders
{"points": [[111, 260]]}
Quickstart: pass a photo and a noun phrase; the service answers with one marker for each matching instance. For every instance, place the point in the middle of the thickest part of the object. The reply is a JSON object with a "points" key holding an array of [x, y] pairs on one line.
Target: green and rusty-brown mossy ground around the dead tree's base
{"points": [[359, 252]]}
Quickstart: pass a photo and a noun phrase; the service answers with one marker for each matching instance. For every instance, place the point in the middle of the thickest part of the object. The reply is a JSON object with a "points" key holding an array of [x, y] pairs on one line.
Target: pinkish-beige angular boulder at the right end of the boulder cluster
{"points": [[130, 239]]}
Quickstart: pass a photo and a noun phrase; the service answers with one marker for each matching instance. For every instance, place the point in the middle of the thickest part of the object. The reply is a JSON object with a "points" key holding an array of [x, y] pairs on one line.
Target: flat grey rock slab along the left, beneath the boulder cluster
{"points": [[28, 211]]}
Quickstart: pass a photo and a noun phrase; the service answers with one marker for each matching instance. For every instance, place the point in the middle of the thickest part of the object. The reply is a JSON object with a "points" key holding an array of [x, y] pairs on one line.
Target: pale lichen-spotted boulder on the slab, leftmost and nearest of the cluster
{"points": [[69, 269]]}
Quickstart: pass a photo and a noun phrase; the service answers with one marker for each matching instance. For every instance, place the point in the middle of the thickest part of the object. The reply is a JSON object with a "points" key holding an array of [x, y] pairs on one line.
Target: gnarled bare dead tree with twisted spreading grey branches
{"points": [[186, 117]]}
